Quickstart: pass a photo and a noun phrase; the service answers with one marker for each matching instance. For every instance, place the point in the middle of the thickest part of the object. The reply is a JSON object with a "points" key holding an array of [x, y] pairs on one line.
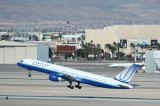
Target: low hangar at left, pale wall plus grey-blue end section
{"points": [[12, 52]]}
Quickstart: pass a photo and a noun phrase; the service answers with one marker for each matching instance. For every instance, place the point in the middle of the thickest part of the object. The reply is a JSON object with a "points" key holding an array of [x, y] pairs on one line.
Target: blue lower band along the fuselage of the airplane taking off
{"points": [[82, 79]]}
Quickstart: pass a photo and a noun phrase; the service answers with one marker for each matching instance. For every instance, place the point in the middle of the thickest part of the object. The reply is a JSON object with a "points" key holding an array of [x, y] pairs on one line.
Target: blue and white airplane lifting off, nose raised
{"points": [[60, 73]]}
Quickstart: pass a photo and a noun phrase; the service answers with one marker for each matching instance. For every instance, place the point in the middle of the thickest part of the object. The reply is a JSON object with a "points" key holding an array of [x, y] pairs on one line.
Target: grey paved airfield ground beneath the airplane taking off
{"points": [[17, 89]]}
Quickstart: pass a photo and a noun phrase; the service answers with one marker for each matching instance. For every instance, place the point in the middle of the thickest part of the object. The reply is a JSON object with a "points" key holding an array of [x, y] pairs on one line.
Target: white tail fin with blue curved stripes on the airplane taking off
{"points": [[126, 75]]}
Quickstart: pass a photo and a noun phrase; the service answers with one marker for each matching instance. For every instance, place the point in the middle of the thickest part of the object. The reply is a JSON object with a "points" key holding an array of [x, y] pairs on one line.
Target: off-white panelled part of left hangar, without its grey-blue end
{"points": [[12, 52]]}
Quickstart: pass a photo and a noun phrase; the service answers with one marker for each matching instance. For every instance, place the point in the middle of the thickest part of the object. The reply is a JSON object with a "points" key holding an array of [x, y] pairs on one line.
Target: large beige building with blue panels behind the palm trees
{"points": [[126, 34]]}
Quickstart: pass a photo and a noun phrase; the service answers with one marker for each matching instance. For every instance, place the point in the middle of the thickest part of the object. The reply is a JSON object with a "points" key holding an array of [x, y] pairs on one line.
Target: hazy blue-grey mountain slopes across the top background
{"points": [[80, 11]]}
